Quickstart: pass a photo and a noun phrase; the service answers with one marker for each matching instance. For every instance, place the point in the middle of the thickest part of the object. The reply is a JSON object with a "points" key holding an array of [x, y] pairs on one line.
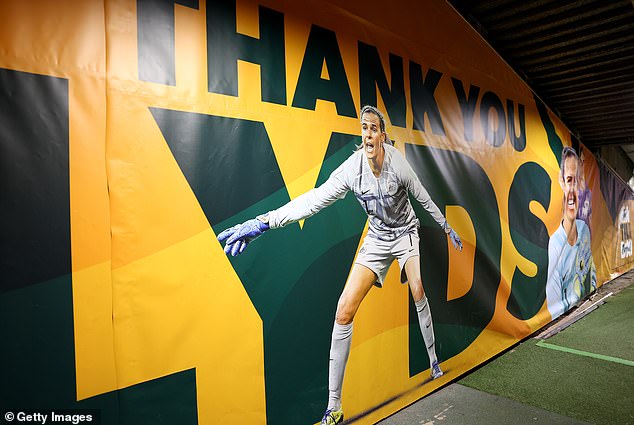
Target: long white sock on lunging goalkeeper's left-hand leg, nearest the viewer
{"points": [[339, 350]]}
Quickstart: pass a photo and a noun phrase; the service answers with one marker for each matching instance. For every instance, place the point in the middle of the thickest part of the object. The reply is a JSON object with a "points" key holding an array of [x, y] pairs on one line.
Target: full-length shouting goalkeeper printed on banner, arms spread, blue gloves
{"points": [[381, 179]]}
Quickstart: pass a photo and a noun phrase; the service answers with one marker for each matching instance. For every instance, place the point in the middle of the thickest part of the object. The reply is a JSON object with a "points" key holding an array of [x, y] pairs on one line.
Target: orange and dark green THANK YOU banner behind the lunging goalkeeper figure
{"points": [[133, 132]]}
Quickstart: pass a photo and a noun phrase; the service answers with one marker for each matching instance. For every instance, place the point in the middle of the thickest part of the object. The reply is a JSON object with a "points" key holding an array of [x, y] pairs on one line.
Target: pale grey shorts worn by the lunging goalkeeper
{"points": [[378, 255]]}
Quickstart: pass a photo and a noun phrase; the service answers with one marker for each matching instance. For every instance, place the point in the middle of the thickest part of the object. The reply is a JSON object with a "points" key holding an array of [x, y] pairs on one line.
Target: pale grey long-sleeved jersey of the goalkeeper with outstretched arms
{"points": [[383, 198]]}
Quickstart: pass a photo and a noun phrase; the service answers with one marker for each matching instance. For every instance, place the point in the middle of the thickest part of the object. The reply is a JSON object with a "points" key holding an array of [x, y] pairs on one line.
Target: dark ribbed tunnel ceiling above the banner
{"points": [[577, 56]]}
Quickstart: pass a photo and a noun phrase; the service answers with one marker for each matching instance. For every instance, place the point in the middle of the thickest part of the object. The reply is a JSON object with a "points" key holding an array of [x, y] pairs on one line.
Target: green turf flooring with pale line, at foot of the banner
{"points": [[589, 389]]}
